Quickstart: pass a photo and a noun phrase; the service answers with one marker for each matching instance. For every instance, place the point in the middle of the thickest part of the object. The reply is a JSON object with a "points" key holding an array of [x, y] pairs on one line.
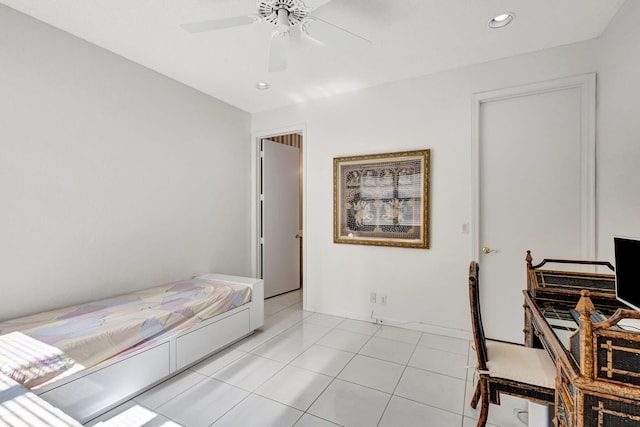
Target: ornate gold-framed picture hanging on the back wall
{"points": [[382, 199]]}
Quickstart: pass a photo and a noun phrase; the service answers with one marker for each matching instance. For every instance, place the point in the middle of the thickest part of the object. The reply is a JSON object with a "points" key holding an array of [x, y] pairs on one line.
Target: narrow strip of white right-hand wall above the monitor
{"points": [[619, 129]]}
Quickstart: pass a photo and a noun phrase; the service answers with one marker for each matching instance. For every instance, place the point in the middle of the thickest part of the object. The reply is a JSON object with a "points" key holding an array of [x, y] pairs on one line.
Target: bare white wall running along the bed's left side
{"points": [[112, 177]]}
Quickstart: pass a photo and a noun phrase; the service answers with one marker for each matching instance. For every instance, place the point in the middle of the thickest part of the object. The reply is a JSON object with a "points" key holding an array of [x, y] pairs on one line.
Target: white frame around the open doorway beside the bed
{"points": [[256, 136]]}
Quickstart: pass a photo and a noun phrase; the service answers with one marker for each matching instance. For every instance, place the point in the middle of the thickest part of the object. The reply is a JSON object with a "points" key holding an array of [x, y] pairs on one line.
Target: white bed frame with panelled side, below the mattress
{"points": [[93, 391]]}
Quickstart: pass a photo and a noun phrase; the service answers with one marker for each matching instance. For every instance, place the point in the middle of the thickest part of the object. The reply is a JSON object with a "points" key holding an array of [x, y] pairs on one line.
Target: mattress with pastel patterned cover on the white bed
{"points": [[84, 335]]}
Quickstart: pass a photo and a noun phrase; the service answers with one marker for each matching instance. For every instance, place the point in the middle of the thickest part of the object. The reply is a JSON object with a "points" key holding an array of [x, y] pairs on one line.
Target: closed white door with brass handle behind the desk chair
{"points": [[535, 190]]}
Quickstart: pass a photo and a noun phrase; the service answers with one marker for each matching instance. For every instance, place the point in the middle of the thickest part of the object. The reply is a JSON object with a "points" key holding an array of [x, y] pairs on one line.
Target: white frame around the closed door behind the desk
{"points": [[587, 85]]}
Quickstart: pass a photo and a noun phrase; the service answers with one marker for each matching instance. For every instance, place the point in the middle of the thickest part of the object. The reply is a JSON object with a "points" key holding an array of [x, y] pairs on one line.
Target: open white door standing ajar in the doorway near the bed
{"points": [[280, 218]]}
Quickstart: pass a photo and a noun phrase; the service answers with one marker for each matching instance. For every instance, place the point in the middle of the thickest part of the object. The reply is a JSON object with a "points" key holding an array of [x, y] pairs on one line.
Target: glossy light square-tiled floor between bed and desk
{"points": [[309, 369]]}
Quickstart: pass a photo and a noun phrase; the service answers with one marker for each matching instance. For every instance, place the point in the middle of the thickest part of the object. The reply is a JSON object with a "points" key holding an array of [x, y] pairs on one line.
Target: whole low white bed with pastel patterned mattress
{"points": [[86, 359]]}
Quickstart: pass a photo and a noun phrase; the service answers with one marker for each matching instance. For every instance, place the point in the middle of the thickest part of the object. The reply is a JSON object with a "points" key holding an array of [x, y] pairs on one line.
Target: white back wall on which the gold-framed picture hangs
{"points": [[425, 287]]}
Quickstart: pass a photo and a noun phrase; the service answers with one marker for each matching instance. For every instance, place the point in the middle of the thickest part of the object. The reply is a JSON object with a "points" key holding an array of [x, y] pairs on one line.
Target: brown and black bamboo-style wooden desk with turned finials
{"points": [[598, 365]]}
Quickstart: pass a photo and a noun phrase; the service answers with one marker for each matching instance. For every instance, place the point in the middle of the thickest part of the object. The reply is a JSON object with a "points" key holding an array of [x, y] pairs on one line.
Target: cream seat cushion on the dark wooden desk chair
{"points": [[522, 364]]}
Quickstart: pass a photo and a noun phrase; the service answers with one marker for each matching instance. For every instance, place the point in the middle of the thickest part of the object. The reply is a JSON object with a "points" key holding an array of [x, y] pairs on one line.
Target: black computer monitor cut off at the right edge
{"points": [[627, 259]]}
